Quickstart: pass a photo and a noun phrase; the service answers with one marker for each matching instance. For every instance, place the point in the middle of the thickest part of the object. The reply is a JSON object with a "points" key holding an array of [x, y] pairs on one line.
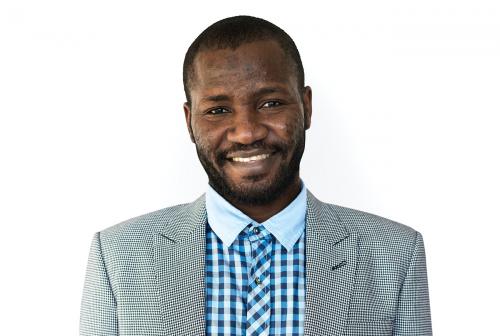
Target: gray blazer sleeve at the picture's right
{"points": [[413, 314]]}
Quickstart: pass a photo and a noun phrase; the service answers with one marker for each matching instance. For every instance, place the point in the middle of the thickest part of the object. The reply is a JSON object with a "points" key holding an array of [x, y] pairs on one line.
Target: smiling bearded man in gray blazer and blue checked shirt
{"points": [[258, 254]]}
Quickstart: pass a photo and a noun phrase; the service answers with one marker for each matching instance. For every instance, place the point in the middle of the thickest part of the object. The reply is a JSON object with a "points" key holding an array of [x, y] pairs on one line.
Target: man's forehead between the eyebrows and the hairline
{"points": [[251, 64]]}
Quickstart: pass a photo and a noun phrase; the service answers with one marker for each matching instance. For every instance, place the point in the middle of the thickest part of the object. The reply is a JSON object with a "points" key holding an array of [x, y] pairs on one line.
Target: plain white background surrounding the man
{"points": [[405, 125]]}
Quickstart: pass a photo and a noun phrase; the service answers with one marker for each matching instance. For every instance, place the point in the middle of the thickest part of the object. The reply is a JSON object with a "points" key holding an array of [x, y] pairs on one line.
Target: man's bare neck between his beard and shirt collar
{"points": [[261, 213]]}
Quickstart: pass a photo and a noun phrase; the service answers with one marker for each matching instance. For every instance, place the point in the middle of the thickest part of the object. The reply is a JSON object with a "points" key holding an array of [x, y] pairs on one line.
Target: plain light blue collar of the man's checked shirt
{"points": [[227, 221]]}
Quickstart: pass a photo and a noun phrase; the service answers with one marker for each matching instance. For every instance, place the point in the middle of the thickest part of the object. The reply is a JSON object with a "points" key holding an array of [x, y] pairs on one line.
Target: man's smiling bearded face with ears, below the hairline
{"points": [[248, 120]]}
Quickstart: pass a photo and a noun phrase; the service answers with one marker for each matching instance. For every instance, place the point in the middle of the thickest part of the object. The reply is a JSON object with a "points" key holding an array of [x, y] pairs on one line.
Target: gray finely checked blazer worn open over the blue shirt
{"points": [[365, 275]]}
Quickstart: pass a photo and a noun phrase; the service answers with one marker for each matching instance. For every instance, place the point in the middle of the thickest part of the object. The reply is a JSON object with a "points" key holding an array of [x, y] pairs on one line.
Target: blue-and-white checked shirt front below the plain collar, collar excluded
{"points": [[231, 274]]}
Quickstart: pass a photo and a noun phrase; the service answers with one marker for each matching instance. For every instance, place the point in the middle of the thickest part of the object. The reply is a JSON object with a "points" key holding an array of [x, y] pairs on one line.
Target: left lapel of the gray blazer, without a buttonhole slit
{"points": [[179, 253]]}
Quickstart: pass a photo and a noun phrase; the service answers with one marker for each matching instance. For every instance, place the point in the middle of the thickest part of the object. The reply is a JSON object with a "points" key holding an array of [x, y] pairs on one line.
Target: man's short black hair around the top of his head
{"points": [[231, 33]]}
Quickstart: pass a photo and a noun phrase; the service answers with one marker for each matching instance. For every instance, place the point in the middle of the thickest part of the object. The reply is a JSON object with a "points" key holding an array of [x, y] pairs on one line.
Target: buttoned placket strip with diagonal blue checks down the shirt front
{"points": [[259, 297]]}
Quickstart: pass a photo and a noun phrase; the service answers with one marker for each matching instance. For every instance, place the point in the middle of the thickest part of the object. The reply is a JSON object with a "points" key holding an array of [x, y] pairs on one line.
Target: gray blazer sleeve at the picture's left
{"points": [[98, 309]]}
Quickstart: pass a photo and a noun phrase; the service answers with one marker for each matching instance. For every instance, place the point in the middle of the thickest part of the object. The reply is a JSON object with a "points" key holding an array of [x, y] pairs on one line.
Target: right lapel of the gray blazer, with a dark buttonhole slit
{"points": [[331, 257]]}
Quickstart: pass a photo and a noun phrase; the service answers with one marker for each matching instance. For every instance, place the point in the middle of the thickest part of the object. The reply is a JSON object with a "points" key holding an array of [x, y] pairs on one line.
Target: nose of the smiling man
{"points": [[247, 127]]}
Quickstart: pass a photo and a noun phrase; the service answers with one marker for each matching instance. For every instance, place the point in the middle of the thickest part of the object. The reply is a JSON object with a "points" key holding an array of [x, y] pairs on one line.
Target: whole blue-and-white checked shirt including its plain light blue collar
{"points": [[248, 261]]}
